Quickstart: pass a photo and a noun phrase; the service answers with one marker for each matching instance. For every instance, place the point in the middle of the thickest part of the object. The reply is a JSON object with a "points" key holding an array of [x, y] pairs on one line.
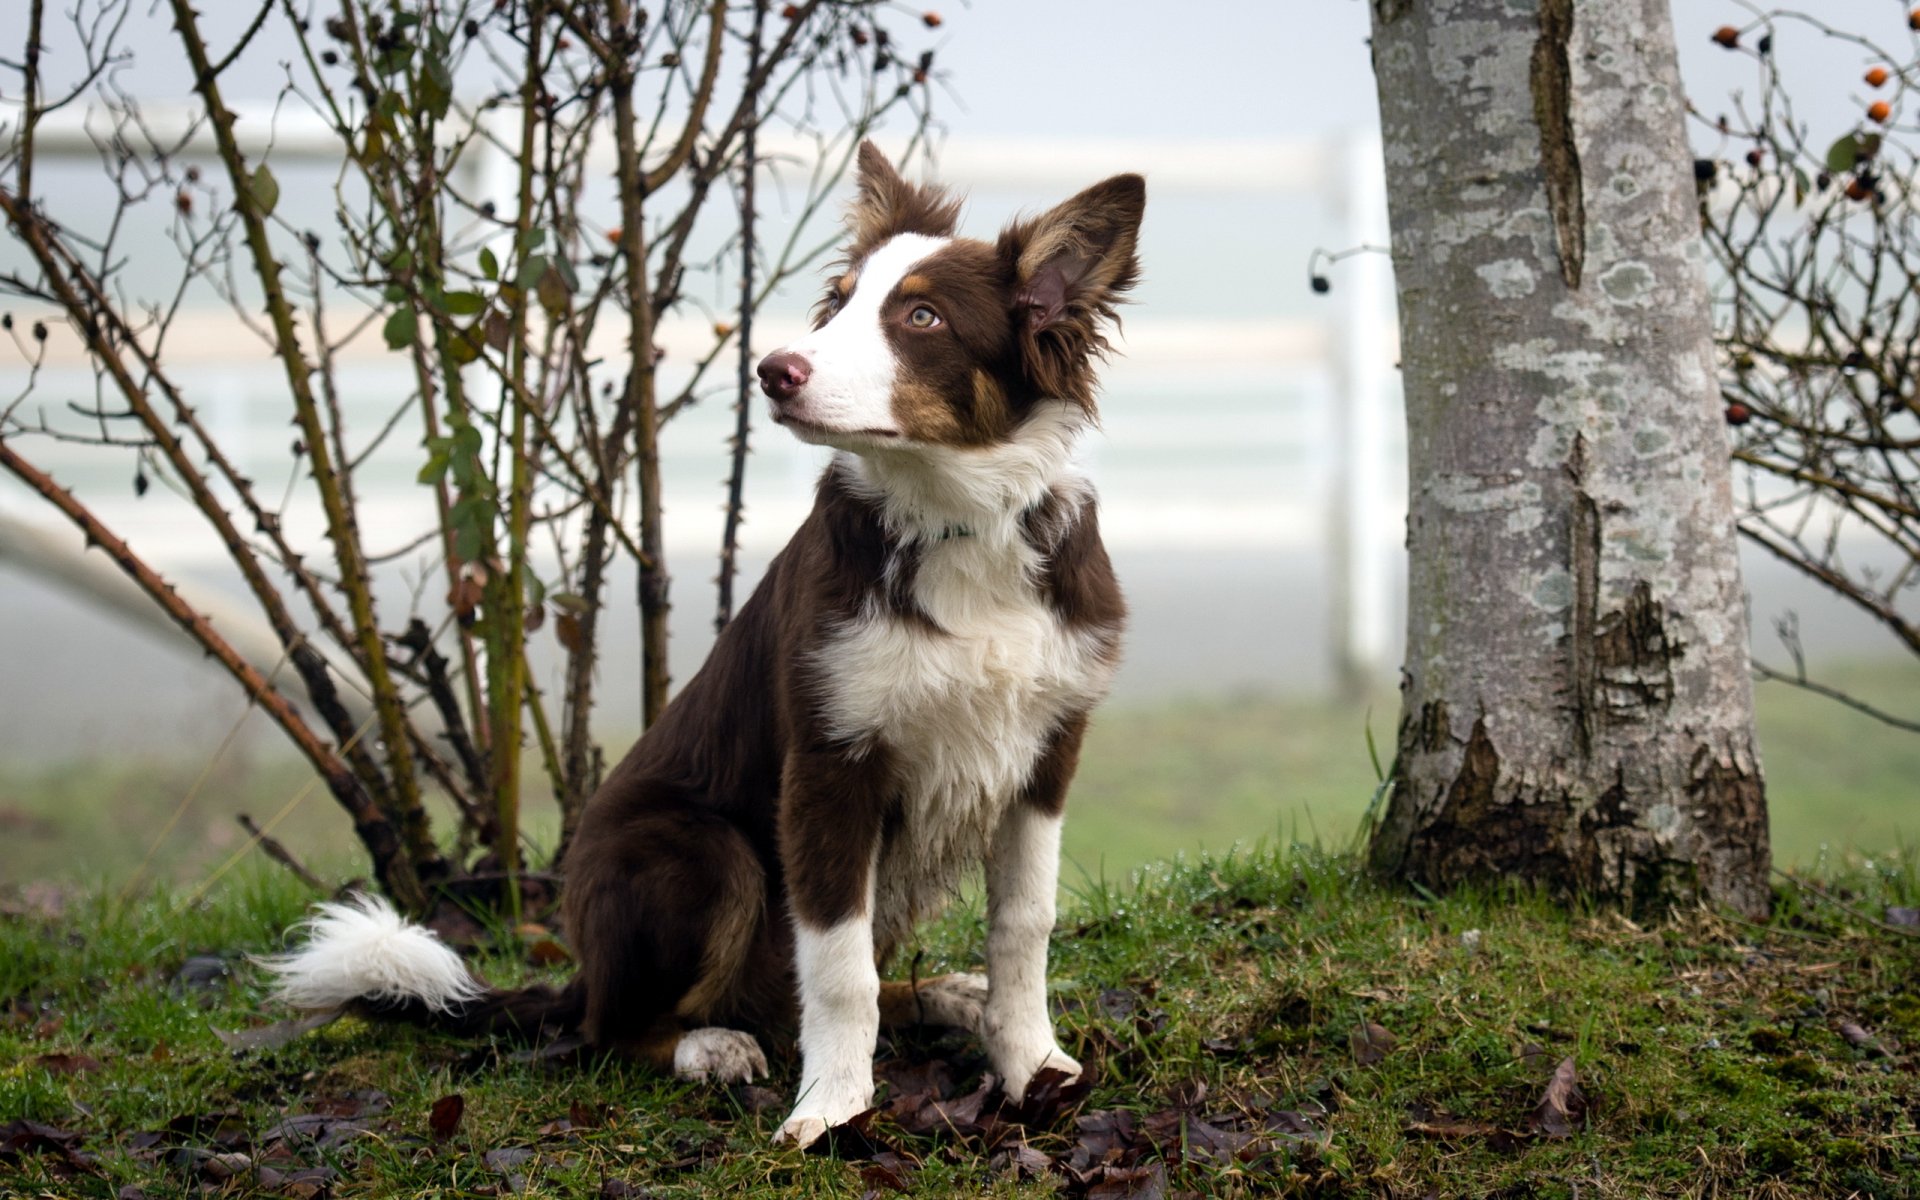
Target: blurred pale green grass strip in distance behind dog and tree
{"points": [[1178, 777]]}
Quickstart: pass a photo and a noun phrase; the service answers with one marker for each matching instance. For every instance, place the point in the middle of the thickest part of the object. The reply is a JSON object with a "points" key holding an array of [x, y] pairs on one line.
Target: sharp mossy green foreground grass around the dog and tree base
{"points": [[1712, 1051]]}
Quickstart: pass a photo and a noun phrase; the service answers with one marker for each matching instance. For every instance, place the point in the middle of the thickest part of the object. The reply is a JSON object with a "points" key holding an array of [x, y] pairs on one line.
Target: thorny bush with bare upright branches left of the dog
{"points": [[466, 222]]}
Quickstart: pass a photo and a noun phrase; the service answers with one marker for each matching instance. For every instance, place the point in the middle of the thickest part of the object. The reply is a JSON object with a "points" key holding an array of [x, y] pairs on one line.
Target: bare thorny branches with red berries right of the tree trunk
{"points": [[1819, 327]]}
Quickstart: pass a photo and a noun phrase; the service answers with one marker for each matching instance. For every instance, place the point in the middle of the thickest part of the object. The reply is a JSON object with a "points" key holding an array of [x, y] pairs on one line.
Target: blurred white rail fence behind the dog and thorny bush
{"points": [[1247, 414]]}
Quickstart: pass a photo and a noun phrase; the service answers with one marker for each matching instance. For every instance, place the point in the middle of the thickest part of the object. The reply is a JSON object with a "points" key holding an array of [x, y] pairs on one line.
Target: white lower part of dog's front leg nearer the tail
{"points": [[840, 1024]]}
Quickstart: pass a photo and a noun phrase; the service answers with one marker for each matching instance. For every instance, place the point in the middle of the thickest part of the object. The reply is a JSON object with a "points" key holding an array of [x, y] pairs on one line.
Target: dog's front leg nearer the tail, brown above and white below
{"points": [[830, 832]]}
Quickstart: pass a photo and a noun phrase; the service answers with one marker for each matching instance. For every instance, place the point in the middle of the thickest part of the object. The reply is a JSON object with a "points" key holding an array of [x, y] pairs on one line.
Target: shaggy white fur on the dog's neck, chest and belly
{"points": [[965, 709]]}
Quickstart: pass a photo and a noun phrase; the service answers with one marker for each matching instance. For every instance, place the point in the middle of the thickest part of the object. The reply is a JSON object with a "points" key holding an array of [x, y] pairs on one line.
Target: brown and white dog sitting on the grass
{"points": [[901, 700]]}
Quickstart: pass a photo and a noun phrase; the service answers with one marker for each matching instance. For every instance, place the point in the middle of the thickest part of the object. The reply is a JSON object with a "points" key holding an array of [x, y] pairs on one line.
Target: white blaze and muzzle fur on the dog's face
{"points": [[852, 360]]}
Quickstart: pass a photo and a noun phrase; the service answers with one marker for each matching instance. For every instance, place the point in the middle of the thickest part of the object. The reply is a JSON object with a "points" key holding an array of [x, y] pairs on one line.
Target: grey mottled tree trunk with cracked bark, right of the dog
{"points": [[1577, 706]]}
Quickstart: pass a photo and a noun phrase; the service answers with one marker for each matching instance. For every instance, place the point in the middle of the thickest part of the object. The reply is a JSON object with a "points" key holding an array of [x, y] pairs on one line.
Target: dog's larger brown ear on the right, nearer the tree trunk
{"points": [[1070, 268]]}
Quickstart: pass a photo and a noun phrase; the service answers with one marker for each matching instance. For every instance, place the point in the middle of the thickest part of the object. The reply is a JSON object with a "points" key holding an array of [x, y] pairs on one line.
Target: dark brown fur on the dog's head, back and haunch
{"points": [[738, 811]]}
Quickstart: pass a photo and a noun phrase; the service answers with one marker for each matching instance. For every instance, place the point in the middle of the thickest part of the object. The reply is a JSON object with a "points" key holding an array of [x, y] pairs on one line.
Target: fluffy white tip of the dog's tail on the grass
{"points": [[364, 951]]}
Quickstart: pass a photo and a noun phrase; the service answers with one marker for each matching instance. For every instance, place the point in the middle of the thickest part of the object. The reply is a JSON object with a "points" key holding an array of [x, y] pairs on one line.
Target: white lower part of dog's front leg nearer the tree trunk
{"points": [[1022, 878]]}
